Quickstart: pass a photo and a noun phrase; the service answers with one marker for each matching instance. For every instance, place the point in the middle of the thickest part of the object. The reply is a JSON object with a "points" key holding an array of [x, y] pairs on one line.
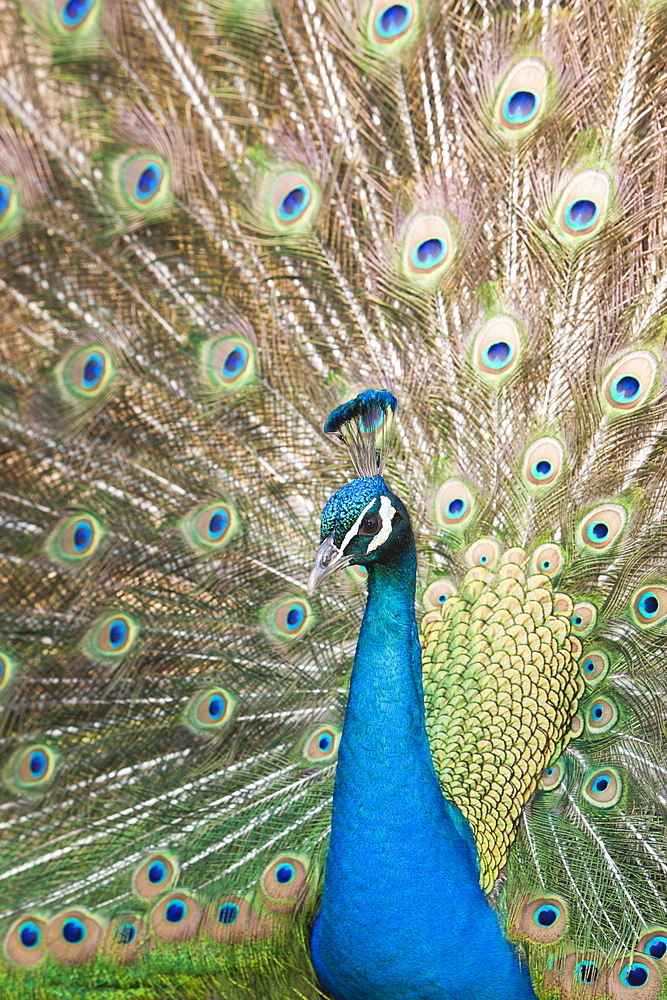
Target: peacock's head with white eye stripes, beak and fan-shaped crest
{"points": [[363, 523]]}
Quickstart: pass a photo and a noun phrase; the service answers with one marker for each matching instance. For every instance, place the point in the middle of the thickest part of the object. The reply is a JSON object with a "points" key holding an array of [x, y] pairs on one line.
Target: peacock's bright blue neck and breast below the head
{"points": [[403, 916]]}
